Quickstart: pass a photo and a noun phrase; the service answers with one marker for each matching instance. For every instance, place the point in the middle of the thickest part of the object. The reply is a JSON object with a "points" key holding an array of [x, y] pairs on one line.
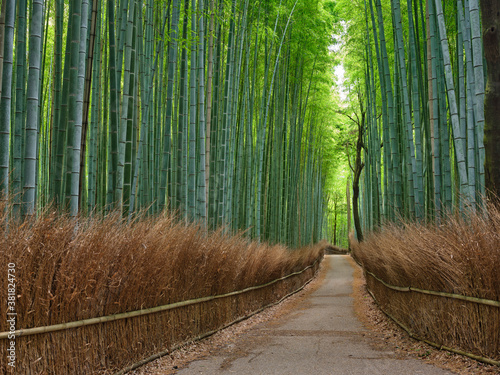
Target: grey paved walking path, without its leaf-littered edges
{"points": [[321, 335]]}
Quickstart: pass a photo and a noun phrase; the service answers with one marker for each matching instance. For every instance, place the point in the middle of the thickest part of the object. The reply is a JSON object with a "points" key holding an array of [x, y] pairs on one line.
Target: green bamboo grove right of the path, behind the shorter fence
{"points": [[422, 101]]}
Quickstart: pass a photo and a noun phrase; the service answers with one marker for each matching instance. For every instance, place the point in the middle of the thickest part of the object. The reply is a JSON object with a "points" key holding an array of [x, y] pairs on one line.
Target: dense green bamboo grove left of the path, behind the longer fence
{"points": [[201, 107]]}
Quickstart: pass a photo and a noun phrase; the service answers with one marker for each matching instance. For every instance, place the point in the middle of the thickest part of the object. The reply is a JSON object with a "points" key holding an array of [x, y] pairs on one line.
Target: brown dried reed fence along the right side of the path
{"points": [[440, 283]]}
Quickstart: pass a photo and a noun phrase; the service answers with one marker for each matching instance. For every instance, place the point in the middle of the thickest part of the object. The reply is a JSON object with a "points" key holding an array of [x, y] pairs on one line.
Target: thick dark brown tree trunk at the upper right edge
{"points": [[490, 12]]}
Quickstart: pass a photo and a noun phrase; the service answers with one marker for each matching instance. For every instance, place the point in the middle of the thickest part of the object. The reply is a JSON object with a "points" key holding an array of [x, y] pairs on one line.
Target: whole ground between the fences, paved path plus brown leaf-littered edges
{"points": [[331, 327]]}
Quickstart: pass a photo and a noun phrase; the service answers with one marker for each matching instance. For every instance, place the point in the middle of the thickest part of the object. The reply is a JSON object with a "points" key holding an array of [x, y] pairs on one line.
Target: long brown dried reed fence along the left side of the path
{"points": [[107, 267]]}
